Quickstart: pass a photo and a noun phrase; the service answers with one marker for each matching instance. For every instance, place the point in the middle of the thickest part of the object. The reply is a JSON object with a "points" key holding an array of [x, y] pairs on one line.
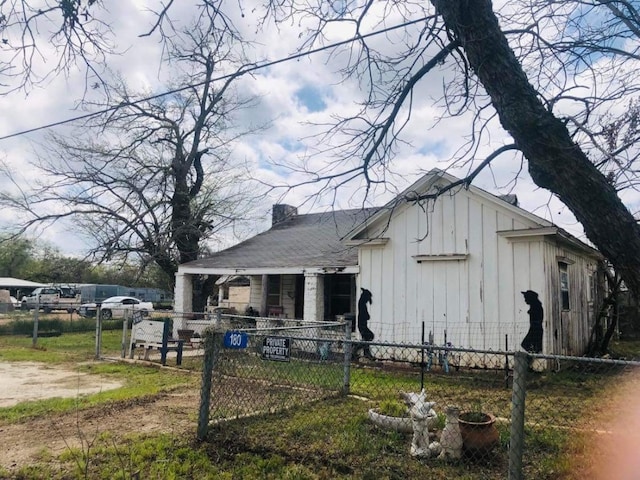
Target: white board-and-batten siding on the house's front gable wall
{"points": [[448, 267]]}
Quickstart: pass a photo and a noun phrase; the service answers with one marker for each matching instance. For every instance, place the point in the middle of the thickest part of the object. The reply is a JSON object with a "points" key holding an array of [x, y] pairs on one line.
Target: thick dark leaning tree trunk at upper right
{"points": [[556, 163]]}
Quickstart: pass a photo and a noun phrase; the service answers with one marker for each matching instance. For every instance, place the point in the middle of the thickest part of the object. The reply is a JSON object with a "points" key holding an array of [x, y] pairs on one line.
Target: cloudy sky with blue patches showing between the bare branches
{"points": [[294, 97]]}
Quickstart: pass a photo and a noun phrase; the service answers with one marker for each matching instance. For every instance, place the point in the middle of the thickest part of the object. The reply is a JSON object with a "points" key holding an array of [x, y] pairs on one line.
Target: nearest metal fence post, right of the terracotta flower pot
{"points": [[518, 396]]}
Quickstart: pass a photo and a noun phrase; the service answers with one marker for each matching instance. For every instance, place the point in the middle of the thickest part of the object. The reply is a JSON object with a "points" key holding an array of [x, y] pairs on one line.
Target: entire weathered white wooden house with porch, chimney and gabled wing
{"points": [[456, 265]]}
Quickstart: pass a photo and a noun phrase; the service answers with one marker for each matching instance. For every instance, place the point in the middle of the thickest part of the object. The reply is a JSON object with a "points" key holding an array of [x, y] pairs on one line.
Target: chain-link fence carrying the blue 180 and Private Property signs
{"points": [[512, 415]]}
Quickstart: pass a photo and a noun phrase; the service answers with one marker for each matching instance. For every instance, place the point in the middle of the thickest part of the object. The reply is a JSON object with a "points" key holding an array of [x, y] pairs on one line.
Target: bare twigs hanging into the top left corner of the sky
{"points": [[40, 39]]}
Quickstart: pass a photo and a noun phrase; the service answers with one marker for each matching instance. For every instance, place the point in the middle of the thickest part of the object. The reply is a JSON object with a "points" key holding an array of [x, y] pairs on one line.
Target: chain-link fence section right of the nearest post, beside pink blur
{"points": [[574, 415]]}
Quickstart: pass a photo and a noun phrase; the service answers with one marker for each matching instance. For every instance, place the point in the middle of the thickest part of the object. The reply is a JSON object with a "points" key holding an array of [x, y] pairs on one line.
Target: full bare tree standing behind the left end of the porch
{"points": [[152, 178]]}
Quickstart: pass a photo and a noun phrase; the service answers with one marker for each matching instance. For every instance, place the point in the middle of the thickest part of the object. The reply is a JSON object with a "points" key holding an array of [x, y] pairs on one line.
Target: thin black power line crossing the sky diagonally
{"points": [[241, 72]]}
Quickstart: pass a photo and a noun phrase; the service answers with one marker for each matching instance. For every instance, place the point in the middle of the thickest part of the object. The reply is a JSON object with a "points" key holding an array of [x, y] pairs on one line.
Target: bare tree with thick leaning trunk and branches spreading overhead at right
{"points": [[559, 76]]}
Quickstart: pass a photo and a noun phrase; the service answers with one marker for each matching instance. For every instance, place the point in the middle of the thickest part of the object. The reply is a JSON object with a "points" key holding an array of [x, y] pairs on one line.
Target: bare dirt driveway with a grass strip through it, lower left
{"points": [[22, 443]]}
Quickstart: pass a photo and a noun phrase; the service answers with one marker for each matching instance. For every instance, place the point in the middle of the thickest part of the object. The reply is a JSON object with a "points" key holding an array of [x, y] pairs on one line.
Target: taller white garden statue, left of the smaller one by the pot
{"points": [[422, 417]]}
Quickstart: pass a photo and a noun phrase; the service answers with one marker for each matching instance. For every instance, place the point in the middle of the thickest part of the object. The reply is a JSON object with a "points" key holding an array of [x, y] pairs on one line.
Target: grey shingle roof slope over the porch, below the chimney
{"points": [[310, 240]]}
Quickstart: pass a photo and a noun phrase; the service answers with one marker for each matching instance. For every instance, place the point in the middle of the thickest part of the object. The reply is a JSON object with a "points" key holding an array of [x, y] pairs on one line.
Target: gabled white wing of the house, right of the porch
{"points": [[459, 263]]}
